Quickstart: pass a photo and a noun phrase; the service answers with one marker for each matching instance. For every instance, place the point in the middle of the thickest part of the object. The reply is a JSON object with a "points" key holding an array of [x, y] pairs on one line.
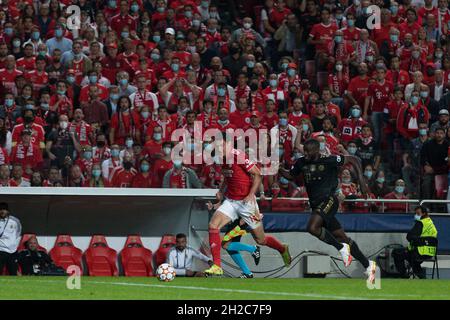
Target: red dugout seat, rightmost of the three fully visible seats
{"points": [[135, 259]]}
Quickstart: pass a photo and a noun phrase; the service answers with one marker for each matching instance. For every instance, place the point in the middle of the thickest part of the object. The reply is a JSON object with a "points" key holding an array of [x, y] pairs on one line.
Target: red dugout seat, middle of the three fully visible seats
{"points": [[100, 258]]}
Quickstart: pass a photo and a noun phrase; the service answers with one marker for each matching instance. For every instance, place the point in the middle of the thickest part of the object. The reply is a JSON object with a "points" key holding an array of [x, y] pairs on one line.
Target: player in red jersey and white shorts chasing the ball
{"points": [[242, 180]]}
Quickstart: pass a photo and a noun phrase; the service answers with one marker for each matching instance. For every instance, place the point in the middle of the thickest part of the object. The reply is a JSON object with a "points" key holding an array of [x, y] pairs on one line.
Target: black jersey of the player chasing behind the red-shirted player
{"points": [[320, 176]]}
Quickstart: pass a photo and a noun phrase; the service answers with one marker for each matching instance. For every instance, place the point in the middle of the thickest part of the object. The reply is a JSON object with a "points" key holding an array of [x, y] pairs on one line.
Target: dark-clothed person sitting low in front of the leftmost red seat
{"points": [[37, 262]]}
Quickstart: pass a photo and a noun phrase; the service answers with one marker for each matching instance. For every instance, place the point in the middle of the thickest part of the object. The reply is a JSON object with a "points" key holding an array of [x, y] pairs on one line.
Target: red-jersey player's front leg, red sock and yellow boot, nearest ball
{"points": [[218, 220]]}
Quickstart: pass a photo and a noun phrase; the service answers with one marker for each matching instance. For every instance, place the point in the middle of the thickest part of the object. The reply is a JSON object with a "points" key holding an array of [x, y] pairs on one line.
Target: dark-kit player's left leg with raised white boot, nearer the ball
{"points": [[315, 227]]}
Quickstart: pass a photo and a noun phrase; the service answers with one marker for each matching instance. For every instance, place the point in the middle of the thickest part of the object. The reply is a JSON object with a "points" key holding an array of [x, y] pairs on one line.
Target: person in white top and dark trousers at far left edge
{"points": [[10, 230]]}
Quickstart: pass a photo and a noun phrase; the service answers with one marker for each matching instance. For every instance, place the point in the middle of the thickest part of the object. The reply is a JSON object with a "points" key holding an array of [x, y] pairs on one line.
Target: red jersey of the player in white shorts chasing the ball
{"points": [[237, 176]]}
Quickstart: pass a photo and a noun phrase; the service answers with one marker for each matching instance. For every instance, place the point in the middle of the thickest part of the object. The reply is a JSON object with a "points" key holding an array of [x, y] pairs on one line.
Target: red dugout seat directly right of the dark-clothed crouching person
{"points": [[65, 254]]}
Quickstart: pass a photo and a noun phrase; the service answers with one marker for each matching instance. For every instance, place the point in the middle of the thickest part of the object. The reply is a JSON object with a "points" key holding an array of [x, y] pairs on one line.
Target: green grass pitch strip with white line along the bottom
{"points": [[118, 288]]}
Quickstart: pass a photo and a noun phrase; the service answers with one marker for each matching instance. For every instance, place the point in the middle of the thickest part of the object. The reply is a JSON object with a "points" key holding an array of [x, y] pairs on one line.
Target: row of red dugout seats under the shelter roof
{"points": [[135, 259]]}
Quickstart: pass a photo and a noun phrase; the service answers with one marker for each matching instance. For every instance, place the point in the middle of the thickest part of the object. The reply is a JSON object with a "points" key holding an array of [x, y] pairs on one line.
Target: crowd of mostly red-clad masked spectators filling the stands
{"points": [[96, 106]]}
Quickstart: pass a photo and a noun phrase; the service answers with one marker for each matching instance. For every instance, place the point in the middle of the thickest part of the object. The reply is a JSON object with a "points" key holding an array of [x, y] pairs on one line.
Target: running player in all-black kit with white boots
{"points": [[320, 174]]}
